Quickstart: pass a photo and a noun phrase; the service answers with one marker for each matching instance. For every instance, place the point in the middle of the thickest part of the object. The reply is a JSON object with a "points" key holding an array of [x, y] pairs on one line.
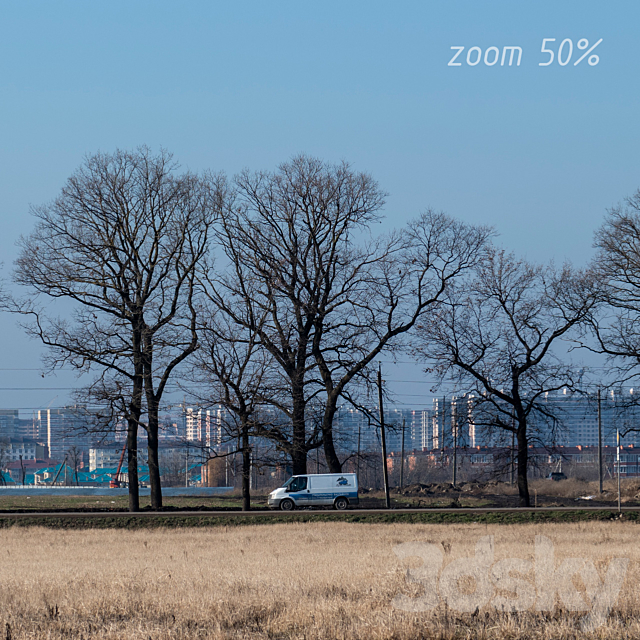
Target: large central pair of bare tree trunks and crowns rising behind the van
{"points": [[329, 296]]}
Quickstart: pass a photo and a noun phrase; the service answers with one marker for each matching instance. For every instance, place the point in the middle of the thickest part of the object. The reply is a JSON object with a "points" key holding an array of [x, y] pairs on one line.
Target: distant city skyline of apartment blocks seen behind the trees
{"points": [[427, 428]]}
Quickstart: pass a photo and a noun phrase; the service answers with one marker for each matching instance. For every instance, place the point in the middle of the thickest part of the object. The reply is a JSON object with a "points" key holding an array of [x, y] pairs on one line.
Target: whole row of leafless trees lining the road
{"points": [[272, 290]]}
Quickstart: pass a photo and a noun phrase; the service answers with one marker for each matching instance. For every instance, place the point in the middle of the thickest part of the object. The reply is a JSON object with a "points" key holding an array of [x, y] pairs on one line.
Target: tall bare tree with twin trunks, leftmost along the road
{"points": [[121, 244]]}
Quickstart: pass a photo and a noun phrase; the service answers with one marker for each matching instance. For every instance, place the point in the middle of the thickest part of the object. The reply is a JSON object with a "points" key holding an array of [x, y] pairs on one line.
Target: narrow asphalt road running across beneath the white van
{"points": [[270, 513]]}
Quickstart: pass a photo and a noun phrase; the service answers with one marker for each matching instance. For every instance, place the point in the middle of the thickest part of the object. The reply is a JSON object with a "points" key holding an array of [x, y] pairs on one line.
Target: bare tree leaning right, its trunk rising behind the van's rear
{"points": [[371, 306]]}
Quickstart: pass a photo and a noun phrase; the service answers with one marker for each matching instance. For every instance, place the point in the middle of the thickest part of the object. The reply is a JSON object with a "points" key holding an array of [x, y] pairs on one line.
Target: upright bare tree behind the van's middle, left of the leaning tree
{"points": [[270, 234]]}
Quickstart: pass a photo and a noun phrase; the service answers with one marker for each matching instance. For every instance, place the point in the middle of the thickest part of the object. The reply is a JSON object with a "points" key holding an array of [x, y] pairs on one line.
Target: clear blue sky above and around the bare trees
{"points": [[537, 151]]}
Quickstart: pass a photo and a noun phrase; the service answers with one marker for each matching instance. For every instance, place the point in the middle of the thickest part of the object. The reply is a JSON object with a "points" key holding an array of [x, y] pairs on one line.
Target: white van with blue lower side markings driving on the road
{"points": [[338, 490]]}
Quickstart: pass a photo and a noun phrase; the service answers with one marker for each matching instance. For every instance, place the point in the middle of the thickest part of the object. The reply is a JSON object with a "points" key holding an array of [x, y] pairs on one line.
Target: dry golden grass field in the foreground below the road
{"points": [[300, 580]]}
